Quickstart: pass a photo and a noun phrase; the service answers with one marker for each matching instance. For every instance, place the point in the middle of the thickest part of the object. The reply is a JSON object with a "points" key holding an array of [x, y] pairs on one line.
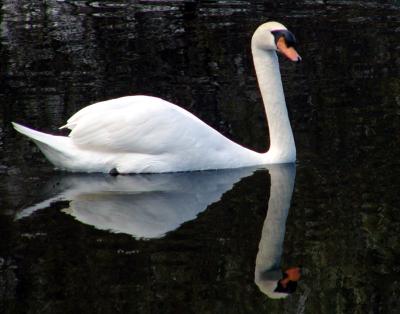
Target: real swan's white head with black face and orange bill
{"points": [[275, 36]]}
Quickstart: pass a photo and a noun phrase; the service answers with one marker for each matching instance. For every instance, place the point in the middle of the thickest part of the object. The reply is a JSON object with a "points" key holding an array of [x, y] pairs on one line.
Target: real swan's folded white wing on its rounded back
{"points": [[141, 124]]}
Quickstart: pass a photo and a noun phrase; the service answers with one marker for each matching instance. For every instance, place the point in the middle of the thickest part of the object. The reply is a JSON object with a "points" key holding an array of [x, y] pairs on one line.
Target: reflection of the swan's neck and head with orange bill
{"points": [[269, 277]]}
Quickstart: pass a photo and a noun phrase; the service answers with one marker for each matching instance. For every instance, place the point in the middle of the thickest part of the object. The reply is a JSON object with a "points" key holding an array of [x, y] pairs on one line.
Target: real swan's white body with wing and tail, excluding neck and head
{"points": [[139, 134]]}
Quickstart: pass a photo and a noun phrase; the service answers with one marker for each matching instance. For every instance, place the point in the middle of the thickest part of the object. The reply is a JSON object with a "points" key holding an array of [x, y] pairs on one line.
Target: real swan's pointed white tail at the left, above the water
{"points": [[57, 149]]}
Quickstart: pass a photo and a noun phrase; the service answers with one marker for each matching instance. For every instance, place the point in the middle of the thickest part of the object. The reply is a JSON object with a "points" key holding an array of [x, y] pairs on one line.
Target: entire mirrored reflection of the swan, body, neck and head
{"points": [[149, 206]]}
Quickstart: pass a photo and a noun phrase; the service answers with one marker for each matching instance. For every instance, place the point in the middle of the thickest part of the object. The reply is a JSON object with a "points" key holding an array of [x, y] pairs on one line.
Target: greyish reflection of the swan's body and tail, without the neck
{"points": [[144, 206]]}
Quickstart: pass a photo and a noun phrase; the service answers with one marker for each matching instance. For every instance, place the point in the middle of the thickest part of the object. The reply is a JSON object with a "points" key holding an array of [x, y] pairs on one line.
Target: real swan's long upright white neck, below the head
{"points": [[282, 148]]}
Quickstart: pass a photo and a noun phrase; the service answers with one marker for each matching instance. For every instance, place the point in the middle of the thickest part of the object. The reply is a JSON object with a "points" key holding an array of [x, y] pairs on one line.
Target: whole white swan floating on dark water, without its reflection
{"points": [[144, 134]]}
